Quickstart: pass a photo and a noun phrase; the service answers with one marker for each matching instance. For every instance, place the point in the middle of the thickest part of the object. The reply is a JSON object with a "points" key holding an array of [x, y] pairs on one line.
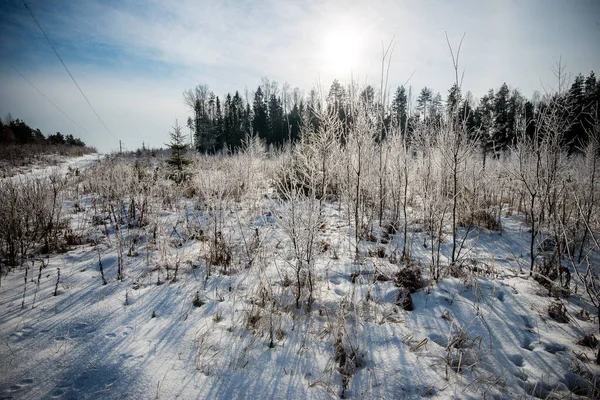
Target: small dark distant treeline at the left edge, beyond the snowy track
{"points": [[17, 132]]}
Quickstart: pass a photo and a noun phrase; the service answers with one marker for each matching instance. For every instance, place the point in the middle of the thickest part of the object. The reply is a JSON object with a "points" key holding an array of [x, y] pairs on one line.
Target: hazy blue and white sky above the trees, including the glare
{"points": [[133, 59]]}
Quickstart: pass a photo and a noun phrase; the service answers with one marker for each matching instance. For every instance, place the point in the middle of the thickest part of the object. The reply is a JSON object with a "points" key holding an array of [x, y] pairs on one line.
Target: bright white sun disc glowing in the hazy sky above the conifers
{"points": [[341, 48]]}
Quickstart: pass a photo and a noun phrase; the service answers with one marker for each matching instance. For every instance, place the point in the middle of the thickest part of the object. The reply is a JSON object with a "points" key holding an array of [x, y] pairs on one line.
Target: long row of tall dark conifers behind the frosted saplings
{"points": [[277, 115]]}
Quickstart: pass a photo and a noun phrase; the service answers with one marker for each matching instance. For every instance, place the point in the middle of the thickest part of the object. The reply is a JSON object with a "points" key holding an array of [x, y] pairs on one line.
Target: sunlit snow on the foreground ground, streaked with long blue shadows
{"points": [[481, 336]]}
